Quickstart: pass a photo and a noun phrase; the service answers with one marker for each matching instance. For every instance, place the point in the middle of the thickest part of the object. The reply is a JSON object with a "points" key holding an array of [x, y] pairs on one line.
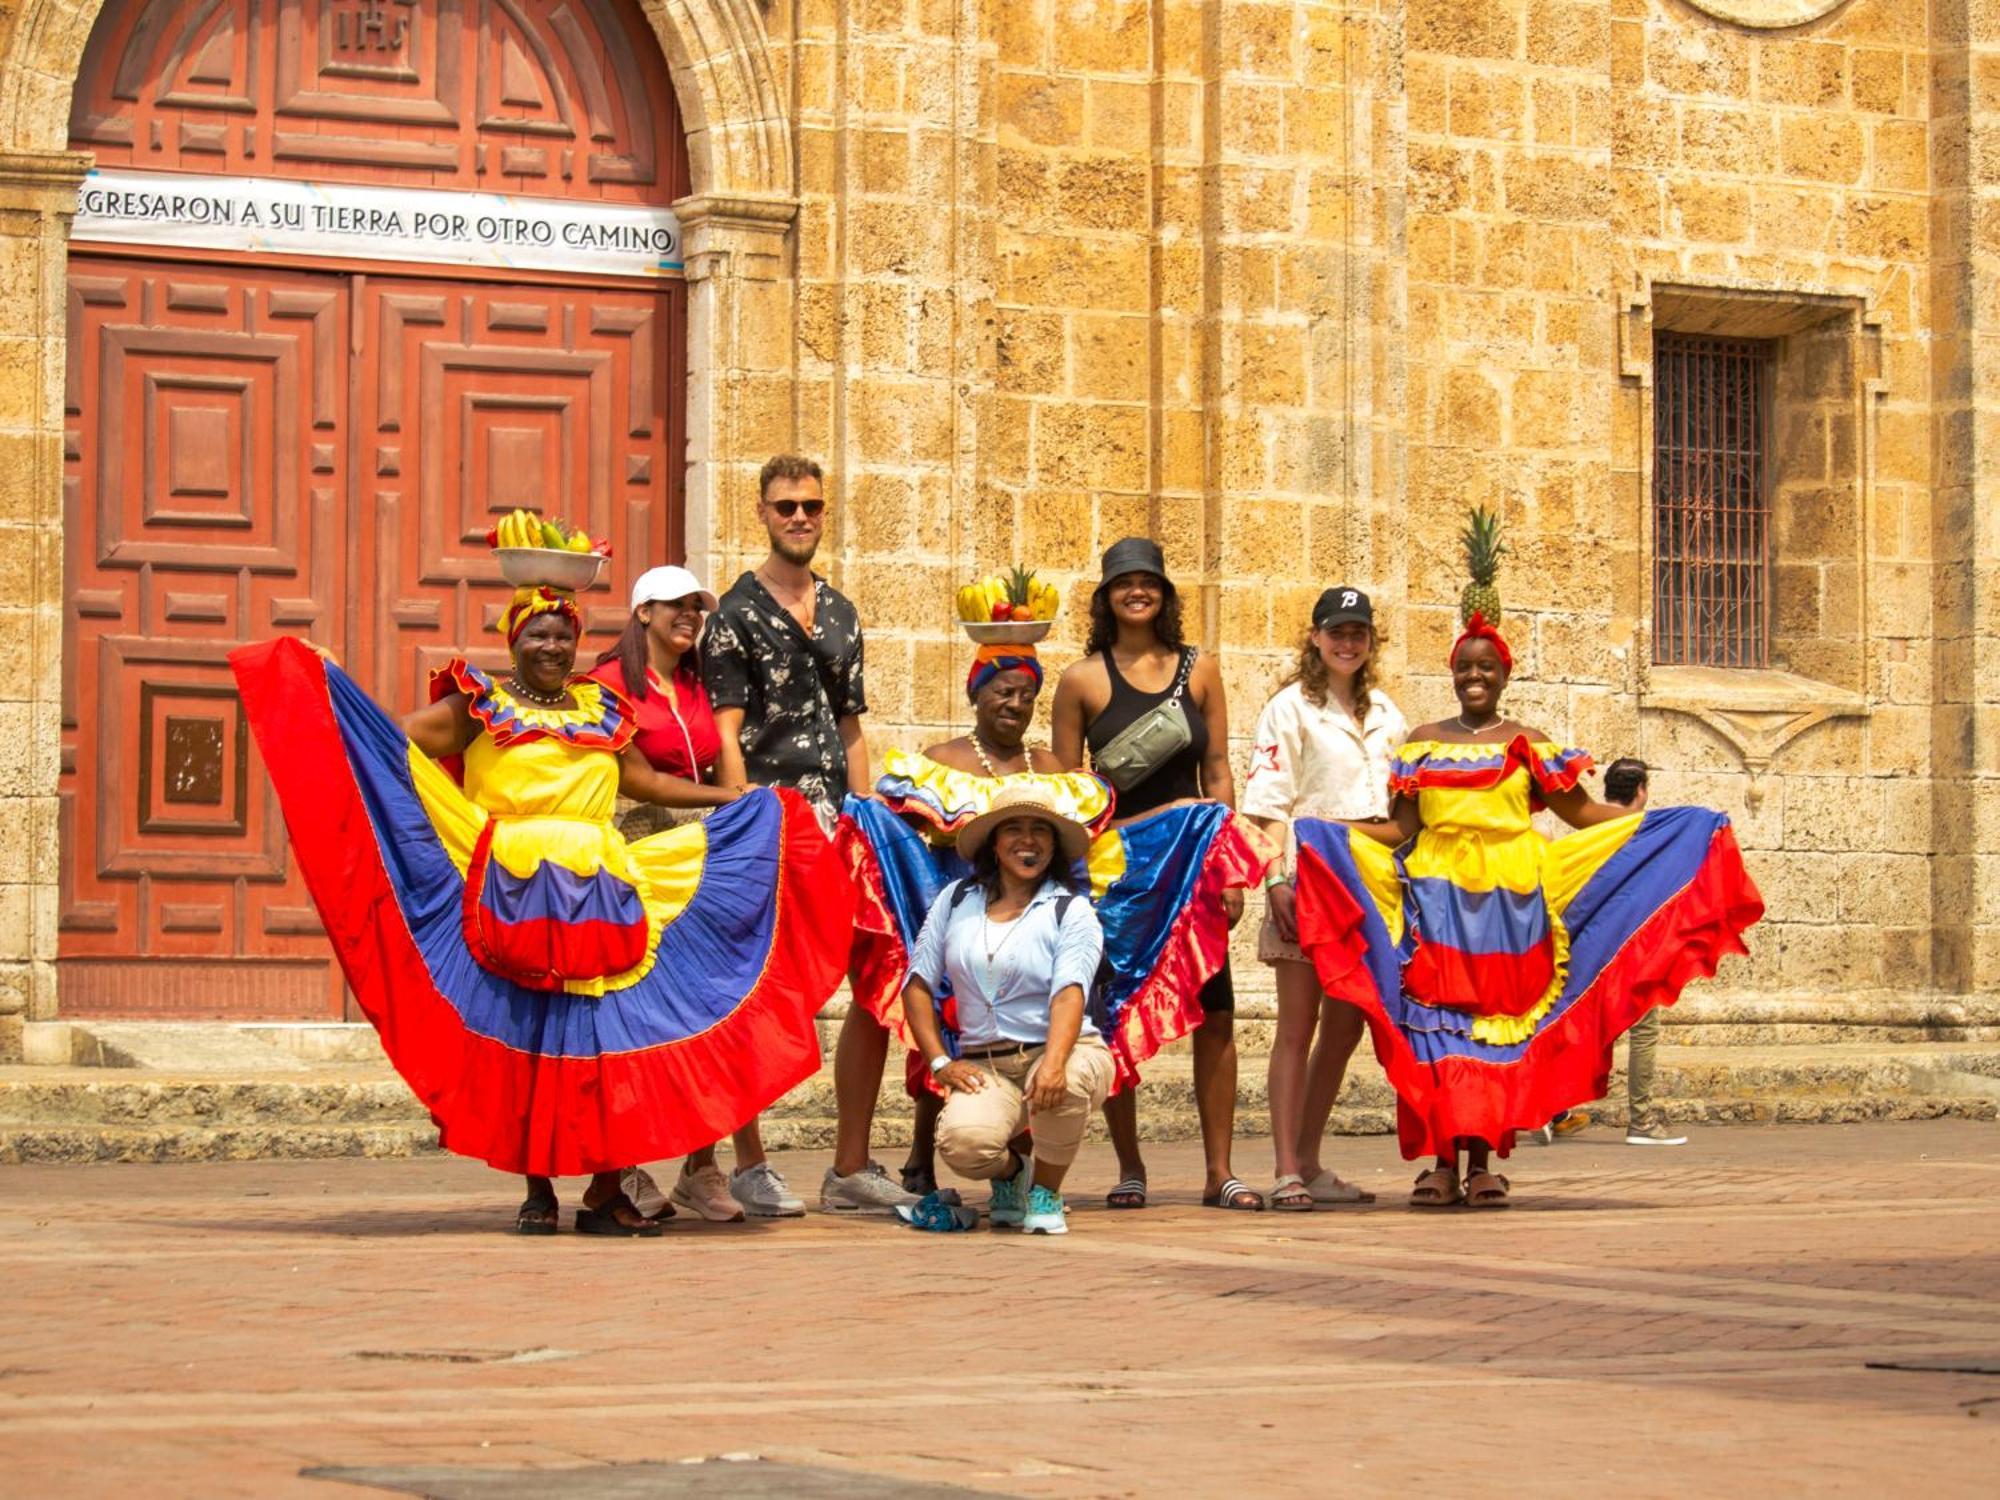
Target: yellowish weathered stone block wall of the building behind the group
{"points": [[1289, 285]]}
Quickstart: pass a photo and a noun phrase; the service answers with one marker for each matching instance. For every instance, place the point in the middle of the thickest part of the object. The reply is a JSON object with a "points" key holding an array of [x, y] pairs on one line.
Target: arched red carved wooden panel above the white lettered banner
{"points": [[567, 101]]}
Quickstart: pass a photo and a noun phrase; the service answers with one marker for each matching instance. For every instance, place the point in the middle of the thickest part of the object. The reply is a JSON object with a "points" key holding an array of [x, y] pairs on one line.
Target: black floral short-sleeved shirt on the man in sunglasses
{"points": [[793, 689]]}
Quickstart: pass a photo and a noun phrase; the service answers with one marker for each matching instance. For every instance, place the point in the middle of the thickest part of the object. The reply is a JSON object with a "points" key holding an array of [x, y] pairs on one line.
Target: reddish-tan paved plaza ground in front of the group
{"points": [[1643, 1323]]}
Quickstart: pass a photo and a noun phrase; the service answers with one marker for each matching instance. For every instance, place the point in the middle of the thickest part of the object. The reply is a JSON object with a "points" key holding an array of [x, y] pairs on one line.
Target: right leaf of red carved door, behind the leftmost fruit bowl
{"points": [[475, 401]]}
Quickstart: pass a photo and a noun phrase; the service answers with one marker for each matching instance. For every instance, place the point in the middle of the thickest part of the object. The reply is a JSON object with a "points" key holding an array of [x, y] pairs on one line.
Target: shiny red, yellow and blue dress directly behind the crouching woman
{"points": [[1157, 887]]}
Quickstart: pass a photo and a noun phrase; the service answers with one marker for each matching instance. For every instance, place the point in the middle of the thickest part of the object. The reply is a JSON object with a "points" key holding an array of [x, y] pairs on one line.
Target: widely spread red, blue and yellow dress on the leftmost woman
{"points": [[561, 999]]}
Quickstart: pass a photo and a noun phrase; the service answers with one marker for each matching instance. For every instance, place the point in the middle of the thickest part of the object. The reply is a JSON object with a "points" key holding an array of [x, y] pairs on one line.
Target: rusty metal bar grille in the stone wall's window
{"points": [[1711, 511]]}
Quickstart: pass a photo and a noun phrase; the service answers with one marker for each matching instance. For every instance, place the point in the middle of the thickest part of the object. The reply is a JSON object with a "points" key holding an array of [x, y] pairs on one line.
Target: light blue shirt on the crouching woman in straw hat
{"points": [[1035, 959]]}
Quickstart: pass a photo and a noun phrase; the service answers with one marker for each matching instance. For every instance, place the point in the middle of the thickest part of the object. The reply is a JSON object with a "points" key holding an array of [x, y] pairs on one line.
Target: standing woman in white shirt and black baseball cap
{"points": [[1323, 751]]}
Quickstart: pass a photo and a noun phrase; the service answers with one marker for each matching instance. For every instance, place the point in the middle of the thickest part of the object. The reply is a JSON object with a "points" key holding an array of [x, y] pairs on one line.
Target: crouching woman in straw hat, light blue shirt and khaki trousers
{"points": [[1011, 953]]}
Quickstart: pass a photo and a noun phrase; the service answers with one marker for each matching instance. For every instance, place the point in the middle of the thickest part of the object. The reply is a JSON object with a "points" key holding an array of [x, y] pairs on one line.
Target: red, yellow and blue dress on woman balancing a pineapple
{"points": [[1497, 967]]}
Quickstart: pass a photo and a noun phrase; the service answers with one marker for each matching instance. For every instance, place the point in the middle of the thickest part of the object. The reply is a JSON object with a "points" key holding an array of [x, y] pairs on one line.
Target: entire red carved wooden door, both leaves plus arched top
{"points": [[259, 453]]}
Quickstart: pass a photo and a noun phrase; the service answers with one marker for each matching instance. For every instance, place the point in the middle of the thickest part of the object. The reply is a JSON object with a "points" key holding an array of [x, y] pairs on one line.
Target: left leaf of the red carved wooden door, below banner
{"points": [[207, 475]]}
